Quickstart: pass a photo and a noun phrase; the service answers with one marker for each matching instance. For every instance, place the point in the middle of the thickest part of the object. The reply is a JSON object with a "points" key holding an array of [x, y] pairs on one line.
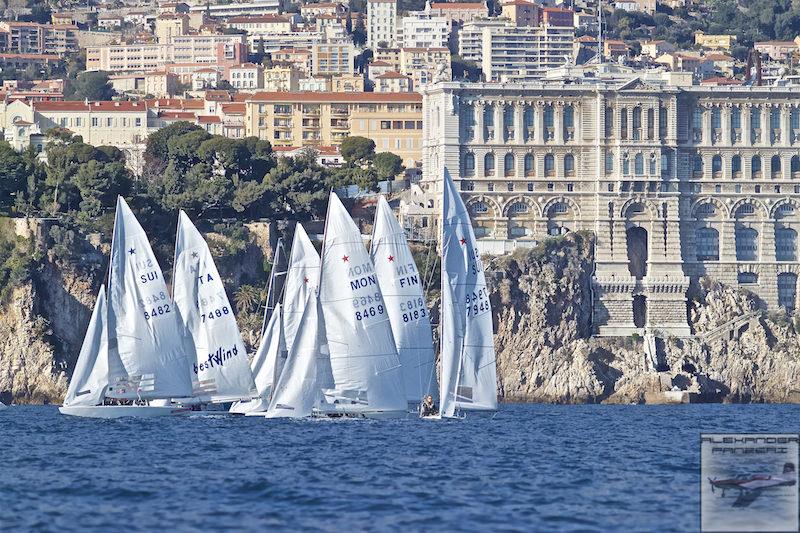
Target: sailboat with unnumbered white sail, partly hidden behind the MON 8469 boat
{"points": [[298, 279]]}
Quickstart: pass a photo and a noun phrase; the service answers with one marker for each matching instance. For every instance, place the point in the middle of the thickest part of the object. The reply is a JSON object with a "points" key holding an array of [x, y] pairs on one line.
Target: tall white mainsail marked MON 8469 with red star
{"points": [[363, 356]]}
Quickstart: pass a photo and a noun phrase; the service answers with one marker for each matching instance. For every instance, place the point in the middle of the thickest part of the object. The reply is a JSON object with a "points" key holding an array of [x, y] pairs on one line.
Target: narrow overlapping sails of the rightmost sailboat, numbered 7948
{"points": [[468, 375]]}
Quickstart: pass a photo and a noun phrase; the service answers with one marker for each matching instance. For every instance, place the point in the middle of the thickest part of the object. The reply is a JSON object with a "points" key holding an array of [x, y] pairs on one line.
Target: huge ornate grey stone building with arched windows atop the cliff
{"points": [[676, 182]]}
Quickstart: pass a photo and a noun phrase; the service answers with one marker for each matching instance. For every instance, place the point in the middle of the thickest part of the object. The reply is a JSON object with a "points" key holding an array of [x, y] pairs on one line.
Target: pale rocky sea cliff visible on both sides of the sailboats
{"points": [[542, 304]]}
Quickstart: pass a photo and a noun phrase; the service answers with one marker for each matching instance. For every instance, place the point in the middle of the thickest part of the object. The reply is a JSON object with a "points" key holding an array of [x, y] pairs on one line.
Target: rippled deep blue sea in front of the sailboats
{"points": [[533, 468]]}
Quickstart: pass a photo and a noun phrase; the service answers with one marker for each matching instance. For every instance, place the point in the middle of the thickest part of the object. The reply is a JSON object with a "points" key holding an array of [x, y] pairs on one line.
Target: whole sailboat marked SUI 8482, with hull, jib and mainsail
{"points": [[133, 349]]}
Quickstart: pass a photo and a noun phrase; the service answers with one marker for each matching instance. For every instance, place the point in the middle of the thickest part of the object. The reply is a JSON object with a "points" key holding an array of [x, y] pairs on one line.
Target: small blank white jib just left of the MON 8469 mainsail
{"points": [[298, 389]]}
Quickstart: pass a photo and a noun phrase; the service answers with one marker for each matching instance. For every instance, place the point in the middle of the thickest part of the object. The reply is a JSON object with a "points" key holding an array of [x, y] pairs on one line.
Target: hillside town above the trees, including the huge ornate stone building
{"points": [[676, 141]]}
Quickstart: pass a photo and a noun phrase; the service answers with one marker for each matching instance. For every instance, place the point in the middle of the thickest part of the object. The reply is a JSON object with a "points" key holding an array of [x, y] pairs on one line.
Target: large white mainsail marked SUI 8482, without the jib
{"points": [[145, 331]]}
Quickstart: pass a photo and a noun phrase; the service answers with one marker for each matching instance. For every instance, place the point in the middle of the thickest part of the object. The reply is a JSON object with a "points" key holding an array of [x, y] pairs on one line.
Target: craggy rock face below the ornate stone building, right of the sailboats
{"points": [[542, 308]]}
